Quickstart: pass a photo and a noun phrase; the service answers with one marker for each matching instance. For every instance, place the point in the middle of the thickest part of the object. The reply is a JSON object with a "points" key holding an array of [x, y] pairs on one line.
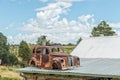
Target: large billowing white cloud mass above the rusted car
{"points": [[49, 22]]}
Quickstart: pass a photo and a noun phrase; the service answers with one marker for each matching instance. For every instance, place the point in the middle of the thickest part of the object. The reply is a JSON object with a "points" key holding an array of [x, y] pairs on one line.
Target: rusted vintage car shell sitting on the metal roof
{"points": [[53, 57]]}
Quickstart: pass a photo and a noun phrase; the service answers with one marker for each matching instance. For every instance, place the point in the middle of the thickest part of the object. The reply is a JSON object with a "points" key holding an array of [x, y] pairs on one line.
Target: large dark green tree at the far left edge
{"points": [[5, 55]]}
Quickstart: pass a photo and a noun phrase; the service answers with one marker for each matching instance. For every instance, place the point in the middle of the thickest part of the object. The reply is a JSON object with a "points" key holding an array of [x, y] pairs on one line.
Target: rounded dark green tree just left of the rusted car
{"points": [[24, 51]]}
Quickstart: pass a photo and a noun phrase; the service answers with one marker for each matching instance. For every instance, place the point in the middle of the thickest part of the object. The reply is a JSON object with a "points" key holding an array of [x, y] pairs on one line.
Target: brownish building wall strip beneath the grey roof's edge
{"points": [[29, 76]]}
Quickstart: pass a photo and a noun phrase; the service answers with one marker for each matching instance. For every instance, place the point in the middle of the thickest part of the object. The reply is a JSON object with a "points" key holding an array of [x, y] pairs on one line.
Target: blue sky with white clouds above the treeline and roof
{"points": [[63, 21]]}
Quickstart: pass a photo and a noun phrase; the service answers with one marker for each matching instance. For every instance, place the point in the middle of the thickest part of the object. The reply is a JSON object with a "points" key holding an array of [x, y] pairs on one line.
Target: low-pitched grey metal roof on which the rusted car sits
{"points": [[89, 67]]}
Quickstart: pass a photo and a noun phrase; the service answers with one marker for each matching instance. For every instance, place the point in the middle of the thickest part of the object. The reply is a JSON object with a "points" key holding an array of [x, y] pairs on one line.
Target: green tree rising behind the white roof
{"points": [[102, 29]]}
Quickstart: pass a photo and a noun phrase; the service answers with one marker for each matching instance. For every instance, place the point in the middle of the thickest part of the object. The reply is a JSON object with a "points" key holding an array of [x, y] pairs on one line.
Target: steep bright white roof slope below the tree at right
{"points": [[98, 47]]}
